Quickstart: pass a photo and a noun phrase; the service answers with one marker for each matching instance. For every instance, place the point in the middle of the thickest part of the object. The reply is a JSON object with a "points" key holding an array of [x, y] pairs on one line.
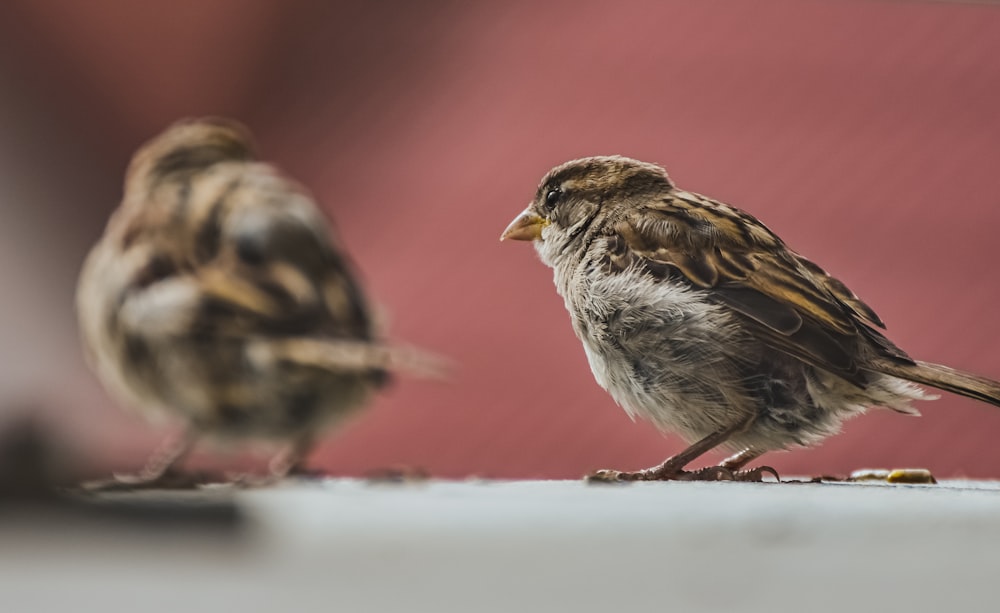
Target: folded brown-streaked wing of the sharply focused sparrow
{"points": [[787, 301]]}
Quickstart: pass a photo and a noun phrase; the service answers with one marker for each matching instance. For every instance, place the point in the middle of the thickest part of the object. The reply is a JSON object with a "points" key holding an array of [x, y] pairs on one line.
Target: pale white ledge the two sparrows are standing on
{"points": [[348, 545]]}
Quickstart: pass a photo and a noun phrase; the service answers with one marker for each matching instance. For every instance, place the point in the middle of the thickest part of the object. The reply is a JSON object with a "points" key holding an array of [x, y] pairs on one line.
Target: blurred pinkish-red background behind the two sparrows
{"points": [[866, 133]]}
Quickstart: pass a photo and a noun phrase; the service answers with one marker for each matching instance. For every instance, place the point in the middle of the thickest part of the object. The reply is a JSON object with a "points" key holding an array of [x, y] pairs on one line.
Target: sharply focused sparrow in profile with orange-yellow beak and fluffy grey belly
{"points": [[697, 317]]}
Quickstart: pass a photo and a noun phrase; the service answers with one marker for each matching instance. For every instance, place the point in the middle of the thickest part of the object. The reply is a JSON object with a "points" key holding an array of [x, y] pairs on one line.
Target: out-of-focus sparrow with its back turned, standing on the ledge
{"points": [[220, 296]]}
